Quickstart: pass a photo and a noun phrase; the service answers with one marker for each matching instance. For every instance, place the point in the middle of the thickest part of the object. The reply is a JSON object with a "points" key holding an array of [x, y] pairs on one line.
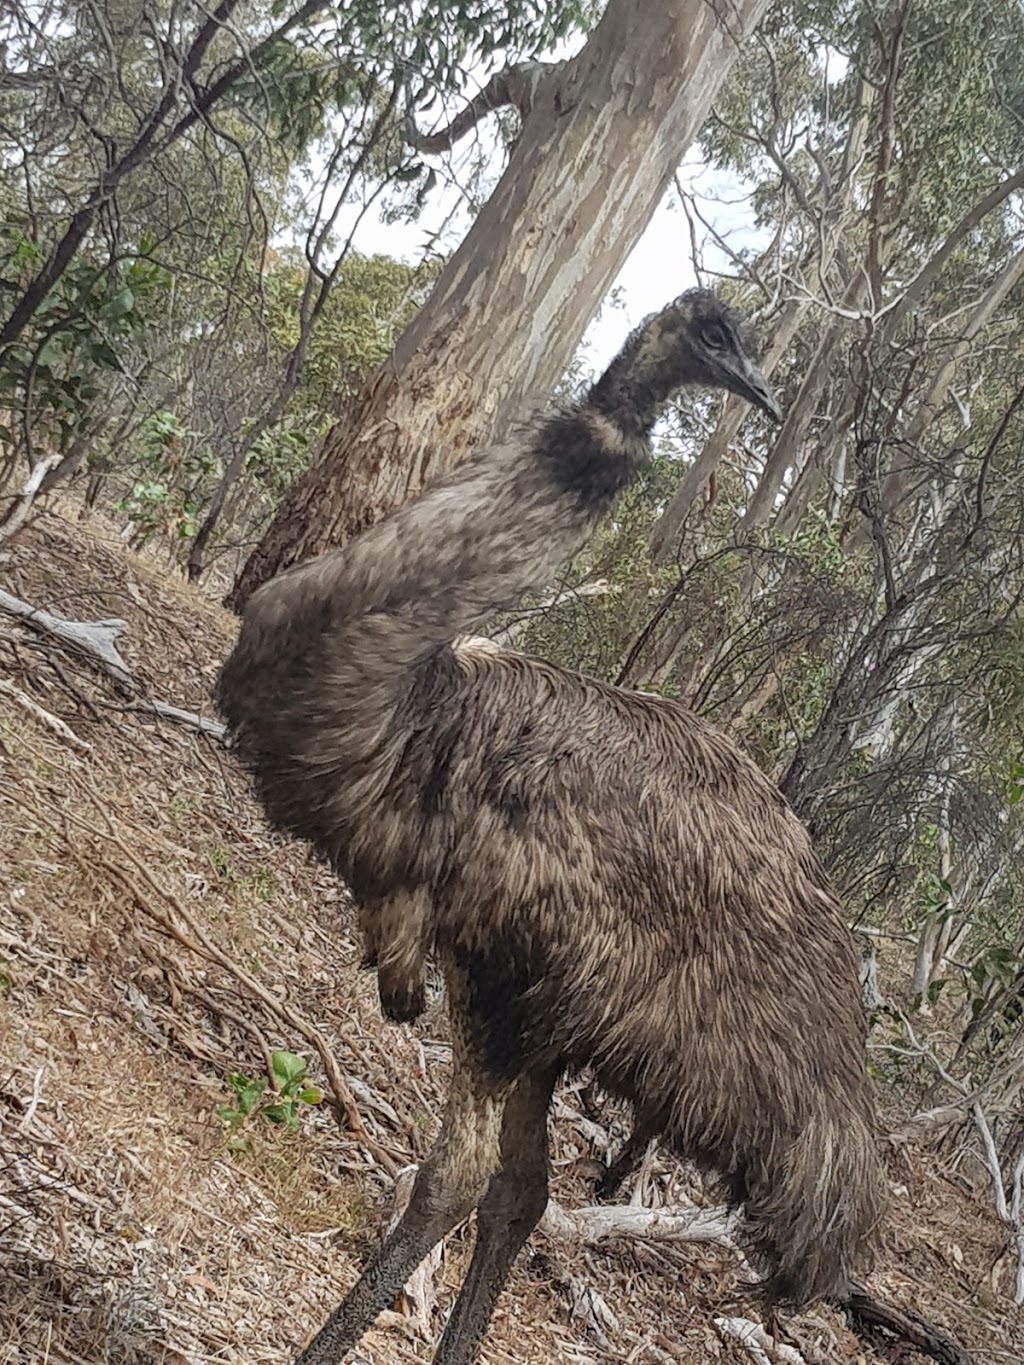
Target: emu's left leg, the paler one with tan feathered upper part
{"points": [[450, 1184]]}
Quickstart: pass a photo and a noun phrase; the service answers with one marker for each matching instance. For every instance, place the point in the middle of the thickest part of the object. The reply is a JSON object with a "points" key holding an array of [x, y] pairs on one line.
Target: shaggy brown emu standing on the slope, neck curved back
{"points": [[604, 880]]}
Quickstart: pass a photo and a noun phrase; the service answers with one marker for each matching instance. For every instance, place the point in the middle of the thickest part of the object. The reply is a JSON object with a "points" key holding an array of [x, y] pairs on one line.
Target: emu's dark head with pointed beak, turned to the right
{"points": [[701, 341]]}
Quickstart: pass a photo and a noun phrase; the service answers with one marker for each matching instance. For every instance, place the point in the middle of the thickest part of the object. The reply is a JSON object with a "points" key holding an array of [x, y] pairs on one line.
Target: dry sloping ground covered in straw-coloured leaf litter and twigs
{"points": [[155, 938]]}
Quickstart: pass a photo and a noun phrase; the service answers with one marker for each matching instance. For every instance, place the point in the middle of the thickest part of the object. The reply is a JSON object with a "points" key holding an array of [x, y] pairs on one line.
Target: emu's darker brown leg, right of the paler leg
{"points": [[513, 1207]]}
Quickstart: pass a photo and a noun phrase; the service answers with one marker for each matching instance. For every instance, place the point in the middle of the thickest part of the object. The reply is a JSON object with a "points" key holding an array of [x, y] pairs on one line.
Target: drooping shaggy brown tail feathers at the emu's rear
{"points": [[814, 1221]]}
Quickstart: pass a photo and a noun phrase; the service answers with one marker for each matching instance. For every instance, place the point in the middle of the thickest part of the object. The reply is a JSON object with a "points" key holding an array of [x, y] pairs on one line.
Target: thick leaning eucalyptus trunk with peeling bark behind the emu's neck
{"points": [[600, 141]]}
